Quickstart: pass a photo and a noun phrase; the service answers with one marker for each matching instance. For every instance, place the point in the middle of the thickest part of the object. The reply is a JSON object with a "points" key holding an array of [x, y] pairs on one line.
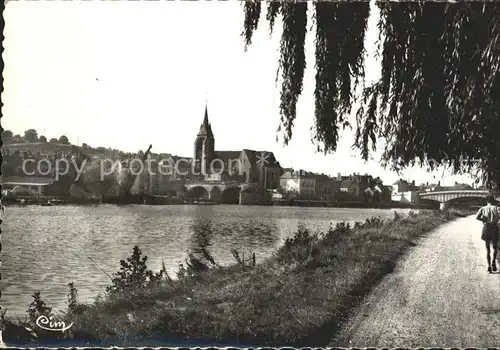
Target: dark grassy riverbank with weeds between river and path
{"points": [[299, 296]]}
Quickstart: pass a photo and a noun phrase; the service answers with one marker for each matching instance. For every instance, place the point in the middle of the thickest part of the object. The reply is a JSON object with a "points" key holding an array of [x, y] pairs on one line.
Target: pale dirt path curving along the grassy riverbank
{"points": [[440, 295]]}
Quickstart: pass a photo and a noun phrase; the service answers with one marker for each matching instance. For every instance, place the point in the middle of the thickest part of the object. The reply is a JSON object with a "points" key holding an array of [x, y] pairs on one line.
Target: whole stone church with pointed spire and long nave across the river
{"points": [[244, 166]]}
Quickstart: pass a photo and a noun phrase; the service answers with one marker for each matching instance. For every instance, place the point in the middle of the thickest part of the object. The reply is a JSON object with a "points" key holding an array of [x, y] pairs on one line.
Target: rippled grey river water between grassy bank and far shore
{"points": [[45, 248]]}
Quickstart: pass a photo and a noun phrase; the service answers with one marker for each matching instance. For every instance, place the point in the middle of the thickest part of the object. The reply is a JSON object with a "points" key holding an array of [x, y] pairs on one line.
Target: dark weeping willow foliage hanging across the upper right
{"points": [[437, 101]]}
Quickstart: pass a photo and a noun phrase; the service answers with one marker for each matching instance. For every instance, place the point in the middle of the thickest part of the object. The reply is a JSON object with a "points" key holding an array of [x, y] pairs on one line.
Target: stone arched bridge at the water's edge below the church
{"points": [[226, 192]]}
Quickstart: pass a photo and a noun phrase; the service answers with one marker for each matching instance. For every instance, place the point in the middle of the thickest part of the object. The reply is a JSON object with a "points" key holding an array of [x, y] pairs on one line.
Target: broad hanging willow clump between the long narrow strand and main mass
{"points": [[340, 33]]}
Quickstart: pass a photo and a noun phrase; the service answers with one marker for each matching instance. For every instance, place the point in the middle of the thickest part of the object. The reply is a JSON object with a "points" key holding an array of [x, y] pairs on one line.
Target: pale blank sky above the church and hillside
{"points": [[126, 74]]}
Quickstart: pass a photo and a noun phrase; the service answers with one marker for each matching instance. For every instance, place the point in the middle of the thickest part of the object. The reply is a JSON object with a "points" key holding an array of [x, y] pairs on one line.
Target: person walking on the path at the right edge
{"points": [[490, 216]]}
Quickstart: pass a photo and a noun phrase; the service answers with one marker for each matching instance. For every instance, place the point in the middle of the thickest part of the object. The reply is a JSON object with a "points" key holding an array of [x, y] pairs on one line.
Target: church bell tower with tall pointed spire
{"points": [[204, 146]]}
